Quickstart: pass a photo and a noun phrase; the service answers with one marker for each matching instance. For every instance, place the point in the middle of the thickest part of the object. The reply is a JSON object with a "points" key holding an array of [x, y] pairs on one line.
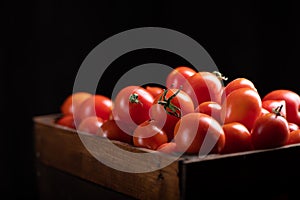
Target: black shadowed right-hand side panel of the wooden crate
{"points": [[265, 175]]}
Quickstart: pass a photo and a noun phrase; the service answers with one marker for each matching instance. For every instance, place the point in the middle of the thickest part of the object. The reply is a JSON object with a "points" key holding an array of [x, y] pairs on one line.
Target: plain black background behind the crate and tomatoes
{"points": [[43, 44]]}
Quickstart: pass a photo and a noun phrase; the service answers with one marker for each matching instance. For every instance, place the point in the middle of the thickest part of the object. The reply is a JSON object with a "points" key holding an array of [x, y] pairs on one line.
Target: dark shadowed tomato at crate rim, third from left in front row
{"points": [[111, 130]]}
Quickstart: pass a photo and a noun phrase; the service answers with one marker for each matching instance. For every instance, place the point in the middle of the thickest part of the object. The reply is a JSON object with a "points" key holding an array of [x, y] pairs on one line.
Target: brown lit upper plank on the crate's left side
{"points": [[62, 148]]}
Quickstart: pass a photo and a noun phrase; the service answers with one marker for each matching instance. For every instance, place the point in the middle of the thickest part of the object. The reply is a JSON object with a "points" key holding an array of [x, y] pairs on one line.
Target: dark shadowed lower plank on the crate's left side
{"points": [[56, 184]]}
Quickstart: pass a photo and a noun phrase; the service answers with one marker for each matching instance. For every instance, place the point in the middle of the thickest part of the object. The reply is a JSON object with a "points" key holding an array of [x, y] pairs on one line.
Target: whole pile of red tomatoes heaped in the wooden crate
{"points": [[194, 113]]}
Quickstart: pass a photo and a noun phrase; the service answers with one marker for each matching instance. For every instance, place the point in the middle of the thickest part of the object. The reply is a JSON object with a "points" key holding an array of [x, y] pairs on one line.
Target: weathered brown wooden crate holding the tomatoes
{"points": [[247, 175]]}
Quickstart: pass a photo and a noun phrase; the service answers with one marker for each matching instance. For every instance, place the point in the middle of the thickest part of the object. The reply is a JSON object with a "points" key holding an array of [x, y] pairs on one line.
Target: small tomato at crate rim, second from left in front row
{"points": [[90, 124]]}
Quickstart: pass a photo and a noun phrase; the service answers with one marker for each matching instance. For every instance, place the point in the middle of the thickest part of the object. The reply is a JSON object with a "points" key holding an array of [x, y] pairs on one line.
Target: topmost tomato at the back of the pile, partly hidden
{"points": [[178, 76]]}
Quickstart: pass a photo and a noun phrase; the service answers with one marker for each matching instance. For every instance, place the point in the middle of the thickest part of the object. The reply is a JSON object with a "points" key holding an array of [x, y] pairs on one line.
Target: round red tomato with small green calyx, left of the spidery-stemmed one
{"points": [[132, 104]]}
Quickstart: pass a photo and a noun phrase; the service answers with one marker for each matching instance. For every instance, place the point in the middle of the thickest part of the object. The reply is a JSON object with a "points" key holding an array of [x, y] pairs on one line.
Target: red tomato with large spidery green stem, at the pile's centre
{"points": [[169, 107]]}
